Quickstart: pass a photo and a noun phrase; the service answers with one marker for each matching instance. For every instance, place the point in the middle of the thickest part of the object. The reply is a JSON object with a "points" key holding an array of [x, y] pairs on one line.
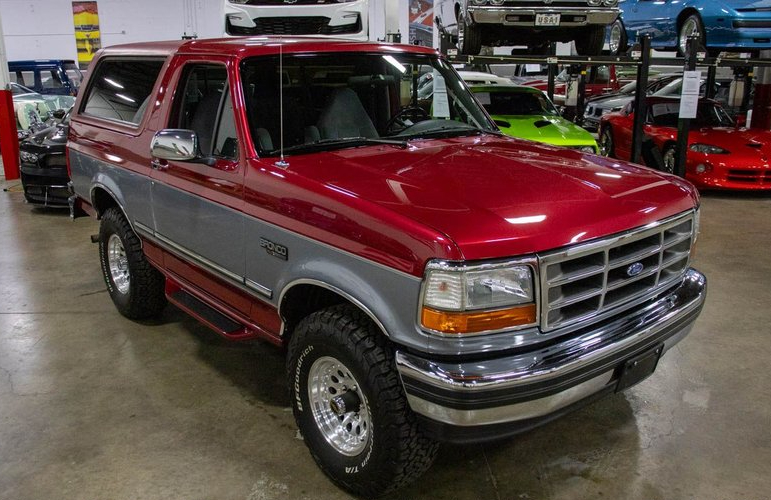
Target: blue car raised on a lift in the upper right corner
{"points": [[722, 25]]}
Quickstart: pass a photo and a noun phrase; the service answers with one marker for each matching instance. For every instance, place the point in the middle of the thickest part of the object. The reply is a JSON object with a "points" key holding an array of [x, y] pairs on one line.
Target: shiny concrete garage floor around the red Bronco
{"points": [[94, 406]]}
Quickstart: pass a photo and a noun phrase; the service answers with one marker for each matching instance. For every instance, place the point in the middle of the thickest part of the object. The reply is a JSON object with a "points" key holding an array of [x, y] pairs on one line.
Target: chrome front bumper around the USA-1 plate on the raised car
{"points": [[500, 15]]}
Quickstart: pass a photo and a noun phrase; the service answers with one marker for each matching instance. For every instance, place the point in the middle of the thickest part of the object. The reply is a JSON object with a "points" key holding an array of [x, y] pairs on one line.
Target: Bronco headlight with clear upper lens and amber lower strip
{"points": [[460, 299]]}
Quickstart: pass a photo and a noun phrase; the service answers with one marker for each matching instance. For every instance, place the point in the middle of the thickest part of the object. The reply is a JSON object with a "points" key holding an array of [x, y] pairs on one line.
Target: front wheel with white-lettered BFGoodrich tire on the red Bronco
{"points": [[350, 406]]}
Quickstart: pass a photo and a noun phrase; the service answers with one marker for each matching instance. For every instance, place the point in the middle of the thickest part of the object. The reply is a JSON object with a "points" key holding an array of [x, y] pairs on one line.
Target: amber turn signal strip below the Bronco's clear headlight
{"points": [[477, 321]]}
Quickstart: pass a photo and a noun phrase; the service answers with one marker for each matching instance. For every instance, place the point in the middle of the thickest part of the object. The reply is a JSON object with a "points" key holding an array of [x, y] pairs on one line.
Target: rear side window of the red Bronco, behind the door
{"points": [[120, 89]]}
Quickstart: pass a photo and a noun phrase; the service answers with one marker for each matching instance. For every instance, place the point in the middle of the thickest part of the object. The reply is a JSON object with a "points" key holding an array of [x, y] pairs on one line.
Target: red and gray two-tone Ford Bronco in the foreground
{"points": [[431, 279]]}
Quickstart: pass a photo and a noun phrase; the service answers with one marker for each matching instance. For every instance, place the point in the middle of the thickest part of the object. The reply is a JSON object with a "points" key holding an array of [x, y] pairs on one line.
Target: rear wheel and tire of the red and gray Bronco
{"points": [[135, 286]]}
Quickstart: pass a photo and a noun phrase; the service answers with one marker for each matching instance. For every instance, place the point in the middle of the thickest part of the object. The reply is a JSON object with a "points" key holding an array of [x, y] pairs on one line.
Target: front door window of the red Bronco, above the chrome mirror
{"points": [[204, 106]]}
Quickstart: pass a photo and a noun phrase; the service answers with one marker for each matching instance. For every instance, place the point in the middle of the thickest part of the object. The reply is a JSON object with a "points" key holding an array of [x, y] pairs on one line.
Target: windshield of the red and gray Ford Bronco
{"points": [[330, 98]]}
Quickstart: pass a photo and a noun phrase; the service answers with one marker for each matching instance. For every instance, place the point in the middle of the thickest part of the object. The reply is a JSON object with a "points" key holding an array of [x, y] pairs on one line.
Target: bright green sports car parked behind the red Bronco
{"points": [[527, 113]]}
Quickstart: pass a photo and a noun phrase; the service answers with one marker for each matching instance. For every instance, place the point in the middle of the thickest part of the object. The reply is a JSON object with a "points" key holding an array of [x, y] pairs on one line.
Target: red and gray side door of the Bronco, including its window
{"points": [[197, 205]]}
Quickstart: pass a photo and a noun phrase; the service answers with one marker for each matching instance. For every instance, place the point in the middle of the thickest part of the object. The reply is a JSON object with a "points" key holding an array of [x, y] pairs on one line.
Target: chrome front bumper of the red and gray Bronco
{"points": [[538, 384]]}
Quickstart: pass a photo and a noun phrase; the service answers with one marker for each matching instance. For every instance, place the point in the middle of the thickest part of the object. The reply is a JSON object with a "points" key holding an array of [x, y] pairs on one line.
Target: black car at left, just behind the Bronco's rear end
{"points": [[44, 173]]}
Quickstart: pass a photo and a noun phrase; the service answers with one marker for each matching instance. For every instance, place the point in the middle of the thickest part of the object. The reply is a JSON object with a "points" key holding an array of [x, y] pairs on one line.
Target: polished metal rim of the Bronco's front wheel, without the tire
{"points": [[347, 432]]}
